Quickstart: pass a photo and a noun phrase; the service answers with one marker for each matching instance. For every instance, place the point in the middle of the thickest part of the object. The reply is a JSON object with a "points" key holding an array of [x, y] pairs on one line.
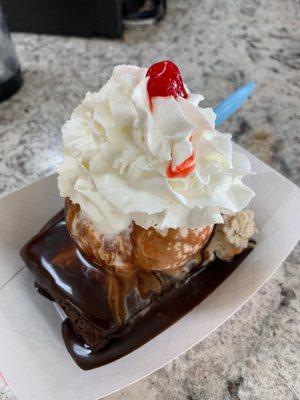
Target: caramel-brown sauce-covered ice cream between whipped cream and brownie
{"points": [[136, 247]]}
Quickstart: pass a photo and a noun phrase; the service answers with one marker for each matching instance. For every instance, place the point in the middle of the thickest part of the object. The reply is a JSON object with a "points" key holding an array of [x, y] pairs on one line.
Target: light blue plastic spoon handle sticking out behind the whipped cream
{"points": [[233, 102]]}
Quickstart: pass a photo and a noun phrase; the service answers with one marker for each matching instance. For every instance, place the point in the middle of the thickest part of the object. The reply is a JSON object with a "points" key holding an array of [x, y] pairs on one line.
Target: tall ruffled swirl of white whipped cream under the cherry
{"points": [[117, 149]]}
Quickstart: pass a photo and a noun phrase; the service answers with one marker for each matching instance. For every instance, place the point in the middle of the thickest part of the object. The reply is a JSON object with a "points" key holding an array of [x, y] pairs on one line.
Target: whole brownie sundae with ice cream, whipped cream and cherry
{"points": [[154, 214]]}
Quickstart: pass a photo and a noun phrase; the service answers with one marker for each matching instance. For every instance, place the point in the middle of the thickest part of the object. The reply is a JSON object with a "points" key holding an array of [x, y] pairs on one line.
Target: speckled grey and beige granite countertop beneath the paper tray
{"points": [[219, 46]]}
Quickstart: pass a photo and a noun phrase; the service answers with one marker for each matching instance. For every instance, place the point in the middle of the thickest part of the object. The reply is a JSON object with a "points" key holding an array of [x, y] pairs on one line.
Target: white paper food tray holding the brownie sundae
{"points": [[33, 357]]}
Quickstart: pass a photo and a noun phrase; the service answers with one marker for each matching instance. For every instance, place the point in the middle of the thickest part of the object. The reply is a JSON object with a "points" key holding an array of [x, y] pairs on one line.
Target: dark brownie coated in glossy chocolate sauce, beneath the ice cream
{"points": [[83, 289]]}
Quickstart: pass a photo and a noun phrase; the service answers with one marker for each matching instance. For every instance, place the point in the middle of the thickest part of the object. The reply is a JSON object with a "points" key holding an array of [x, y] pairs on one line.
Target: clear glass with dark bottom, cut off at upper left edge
{"points": [[10, 74]]}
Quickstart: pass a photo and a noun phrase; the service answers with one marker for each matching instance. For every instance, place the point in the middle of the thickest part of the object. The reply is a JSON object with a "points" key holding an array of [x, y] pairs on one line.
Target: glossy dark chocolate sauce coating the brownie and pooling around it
{"points": [[61, 271]]}
